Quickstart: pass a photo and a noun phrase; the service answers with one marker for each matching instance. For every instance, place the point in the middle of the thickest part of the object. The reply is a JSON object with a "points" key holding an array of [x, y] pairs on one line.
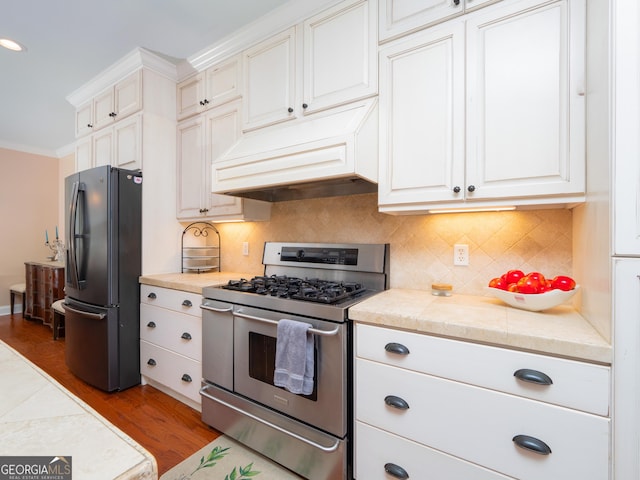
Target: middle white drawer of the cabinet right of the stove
{"points": [[479, 425]]}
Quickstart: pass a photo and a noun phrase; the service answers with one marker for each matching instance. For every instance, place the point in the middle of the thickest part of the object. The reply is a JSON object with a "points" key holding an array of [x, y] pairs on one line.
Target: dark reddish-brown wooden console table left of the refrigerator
{"points": [[45, 285]]}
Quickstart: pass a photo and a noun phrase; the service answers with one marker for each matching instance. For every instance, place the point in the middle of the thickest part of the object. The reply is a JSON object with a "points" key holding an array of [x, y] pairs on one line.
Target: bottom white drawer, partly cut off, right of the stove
{"points": [[374, 448]]}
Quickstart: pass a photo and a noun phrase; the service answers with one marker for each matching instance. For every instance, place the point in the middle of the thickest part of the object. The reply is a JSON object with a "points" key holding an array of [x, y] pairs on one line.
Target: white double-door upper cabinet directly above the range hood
{"points": [[328, 60]]}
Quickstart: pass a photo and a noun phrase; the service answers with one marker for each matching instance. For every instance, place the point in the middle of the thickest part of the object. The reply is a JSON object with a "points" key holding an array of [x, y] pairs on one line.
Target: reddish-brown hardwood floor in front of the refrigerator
{"points": [[168, 429]]}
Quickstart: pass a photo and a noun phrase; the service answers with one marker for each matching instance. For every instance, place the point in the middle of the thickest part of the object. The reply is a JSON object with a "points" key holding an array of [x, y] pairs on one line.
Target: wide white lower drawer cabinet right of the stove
{"points": [[429, 416]]}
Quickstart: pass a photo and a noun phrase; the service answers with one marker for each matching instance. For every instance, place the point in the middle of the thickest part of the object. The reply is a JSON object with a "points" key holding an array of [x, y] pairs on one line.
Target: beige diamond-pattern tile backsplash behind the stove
{"points": [[421, 245]]}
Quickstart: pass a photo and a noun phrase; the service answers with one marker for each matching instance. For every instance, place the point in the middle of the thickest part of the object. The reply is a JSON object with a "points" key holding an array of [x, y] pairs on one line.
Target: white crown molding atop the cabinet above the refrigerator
{"points": [[135, 60]]}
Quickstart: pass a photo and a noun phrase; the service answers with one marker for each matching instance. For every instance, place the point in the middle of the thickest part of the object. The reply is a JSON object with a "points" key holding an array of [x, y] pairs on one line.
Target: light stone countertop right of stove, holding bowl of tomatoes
{"points": [[560, 331]]}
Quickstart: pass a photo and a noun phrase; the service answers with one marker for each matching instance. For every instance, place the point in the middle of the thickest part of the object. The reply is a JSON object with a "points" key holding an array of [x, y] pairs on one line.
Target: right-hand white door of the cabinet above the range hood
{"points": [[340, 55]]}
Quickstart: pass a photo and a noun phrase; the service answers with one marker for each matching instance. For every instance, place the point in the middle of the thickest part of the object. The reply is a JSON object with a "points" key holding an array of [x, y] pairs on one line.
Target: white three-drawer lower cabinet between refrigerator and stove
{"points": [[171, 342]]}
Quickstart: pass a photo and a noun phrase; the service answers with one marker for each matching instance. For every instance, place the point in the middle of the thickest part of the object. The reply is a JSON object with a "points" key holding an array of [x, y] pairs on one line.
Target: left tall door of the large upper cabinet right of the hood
{"points": [[422, 117]]}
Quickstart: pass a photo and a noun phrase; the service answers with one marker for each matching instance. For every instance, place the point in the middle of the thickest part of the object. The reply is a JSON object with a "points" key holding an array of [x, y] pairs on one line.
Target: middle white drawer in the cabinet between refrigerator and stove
{"points": [[175, 331]]}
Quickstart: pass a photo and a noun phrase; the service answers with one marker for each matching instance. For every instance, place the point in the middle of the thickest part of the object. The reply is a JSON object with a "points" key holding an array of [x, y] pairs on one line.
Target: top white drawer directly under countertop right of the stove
{"points": [[578, 385]]}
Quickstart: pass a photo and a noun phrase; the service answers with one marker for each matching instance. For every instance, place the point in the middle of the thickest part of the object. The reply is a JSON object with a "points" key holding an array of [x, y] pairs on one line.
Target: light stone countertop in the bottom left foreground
{"points": [[39, 417]]}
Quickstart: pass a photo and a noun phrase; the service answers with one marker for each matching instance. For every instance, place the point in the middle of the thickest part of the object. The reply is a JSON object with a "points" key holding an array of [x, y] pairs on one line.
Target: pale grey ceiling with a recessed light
{"points": [[69, 42]]}
